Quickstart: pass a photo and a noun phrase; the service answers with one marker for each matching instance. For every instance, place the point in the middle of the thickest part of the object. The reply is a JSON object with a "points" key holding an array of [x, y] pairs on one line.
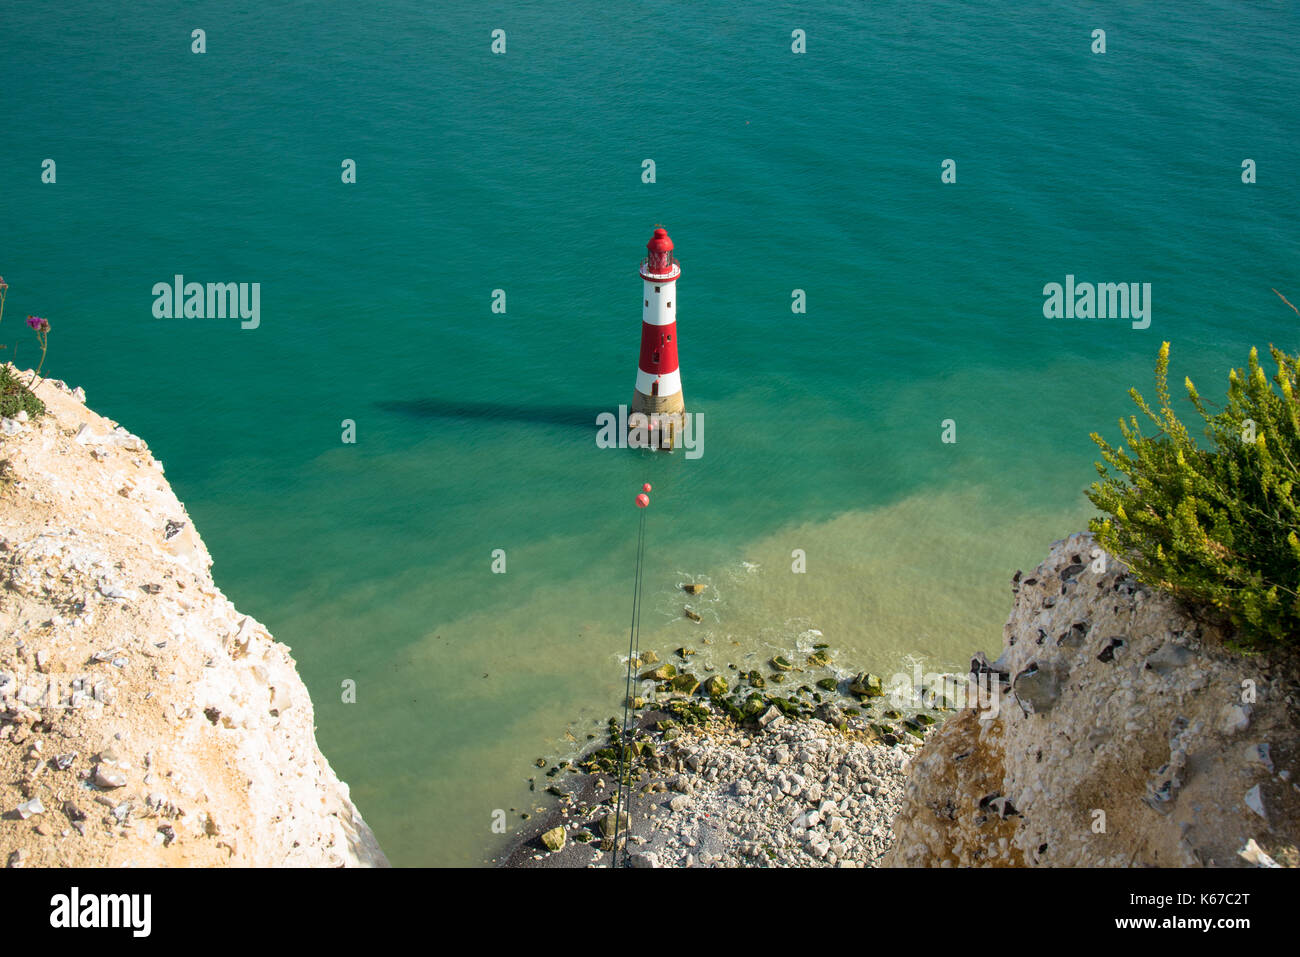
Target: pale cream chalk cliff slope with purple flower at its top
{"points": [[144, 720]]}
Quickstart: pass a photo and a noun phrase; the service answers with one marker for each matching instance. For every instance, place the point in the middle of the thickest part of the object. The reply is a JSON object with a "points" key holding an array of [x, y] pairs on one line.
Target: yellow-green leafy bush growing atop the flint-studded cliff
{"points": [[1219, 526]]}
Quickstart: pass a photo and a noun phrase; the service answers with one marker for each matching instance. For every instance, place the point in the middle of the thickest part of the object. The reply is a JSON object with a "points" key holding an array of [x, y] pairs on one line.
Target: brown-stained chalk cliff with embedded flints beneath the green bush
{"points": [[1123, 734]]}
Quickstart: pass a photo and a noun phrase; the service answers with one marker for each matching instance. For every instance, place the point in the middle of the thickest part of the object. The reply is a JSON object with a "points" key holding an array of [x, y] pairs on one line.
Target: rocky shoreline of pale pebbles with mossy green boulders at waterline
{"points": [[812, 778]]}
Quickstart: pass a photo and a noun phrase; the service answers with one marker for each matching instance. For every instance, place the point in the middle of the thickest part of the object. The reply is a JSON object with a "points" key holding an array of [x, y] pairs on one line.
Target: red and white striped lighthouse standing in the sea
{"points": [[658, 392]]}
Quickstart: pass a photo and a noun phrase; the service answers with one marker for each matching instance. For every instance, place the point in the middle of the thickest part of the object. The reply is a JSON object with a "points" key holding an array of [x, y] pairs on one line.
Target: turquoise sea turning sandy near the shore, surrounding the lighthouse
{"points": [[475, 430]]}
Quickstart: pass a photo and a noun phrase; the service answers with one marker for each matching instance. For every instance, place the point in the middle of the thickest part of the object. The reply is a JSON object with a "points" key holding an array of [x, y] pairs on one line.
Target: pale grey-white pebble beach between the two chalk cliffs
{"points": [[774, 790]]}
